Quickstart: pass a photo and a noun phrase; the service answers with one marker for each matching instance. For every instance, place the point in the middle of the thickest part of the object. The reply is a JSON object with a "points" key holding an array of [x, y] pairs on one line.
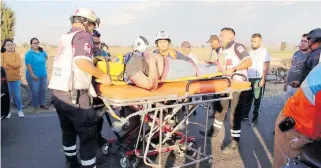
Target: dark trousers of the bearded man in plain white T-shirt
{"points": [[256, 94]]}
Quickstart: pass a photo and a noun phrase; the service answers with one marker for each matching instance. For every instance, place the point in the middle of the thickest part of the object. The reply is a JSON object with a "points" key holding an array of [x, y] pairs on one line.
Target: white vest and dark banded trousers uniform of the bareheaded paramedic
{"points": [[230, 56]]}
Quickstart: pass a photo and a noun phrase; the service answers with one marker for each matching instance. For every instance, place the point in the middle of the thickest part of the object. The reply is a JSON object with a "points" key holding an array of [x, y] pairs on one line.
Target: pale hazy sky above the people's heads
{"points": [[195, 21]]}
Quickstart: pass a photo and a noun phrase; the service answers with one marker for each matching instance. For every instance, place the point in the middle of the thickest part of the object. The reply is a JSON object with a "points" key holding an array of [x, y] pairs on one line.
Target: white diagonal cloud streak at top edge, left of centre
{"points": [[129, 14]]}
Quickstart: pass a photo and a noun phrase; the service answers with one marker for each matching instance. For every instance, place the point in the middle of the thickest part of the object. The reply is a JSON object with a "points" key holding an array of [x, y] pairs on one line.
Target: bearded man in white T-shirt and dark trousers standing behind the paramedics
{"points": [[257, 74]]}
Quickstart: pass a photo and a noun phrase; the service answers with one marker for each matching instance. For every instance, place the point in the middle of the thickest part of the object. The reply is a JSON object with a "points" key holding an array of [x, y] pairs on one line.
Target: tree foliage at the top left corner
{"points": [[8, 21]]}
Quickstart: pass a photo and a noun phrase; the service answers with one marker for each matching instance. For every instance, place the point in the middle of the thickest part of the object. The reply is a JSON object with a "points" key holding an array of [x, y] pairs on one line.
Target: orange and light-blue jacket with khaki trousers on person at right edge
{"points": [[300, 120]]}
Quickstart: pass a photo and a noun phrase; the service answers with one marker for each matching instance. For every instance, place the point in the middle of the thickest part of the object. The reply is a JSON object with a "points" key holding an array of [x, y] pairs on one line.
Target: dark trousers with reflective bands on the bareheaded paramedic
{"points": [[236, 111]]}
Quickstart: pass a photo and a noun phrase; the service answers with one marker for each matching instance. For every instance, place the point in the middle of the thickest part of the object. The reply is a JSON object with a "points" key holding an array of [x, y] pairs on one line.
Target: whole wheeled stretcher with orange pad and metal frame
{"points": [[158, 115]]}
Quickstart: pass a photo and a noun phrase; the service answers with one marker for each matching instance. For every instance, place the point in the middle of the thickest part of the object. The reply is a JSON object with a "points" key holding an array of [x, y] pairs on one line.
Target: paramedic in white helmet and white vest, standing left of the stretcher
{"points": [[71, 84]]}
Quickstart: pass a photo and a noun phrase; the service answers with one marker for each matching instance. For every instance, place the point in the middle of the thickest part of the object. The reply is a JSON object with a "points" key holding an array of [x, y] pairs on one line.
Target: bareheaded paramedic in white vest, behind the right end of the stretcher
{"points": [[235, 60]]}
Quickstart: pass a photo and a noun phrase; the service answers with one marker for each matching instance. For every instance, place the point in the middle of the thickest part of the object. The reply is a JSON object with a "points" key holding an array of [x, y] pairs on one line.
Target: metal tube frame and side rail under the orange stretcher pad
{"points": [[157, 124]]}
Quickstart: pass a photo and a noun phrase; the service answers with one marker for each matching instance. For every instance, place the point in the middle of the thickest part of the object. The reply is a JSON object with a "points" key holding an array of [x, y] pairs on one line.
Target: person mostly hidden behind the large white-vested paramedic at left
{"points": [[99, 52]]}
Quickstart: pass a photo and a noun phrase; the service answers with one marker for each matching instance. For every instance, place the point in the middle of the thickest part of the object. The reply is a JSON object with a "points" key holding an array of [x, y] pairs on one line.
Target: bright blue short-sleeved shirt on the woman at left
{"points": [[37, 62]]}
